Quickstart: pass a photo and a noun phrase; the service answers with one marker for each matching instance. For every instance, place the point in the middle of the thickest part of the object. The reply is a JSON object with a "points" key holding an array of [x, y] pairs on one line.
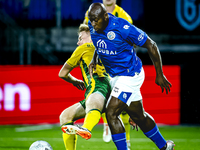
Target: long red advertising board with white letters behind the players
{"points": [[35, 94]]}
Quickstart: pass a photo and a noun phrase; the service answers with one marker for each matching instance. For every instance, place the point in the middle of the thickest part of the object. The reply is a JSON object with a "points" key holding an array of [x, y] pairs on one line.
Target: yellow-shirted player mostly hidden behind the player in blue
{"points": [[117, 11]]}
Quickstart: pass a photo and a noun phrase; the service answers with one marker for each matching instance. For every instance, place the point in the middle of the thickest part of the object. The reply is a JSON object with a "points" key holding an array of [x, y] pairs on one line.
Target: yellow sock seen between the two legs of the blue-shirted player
{"points": [[125, 119]]}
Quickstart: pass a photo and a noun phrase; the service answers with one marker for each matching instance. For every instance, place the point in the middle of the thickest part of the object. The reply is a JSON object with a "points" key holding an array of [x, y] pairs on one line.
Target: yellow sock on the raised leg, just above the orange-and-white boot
{"points": [[91, 119]]}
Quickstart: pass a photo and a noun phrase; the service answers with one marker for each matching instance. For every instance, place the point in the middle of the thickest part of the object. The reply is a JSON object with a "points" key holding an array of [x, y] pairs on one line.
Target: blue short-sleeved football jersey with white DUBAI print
{"points": [[115, 46]]}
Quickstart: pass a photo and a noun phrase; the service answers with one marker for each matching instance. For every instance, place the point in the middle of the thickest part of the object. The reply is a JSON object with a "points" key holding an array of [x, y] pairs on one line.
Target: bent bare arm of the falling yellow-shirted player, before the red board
{"points": [[65, 75]]}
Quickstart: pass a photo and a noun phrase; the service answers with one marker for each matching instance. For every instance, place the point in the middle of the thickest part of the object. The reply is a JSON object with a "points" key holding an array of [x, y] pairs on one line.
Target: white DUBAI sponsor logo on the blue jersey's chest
{"points": [[102, 48]]}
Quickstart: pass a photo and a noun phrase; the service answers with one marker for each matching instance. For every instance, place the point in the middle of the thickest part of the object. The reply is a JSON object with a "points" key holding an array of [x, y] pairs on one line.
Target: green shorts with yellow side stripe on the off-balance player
{"points": [[99, 85]]}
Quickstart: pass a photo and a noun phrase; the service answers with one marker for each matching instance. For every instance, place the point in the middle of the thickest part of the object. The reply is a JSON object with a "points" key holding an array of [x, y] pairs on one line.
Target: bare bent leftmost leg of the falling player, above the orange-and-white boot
{"points": [[72, 113]]}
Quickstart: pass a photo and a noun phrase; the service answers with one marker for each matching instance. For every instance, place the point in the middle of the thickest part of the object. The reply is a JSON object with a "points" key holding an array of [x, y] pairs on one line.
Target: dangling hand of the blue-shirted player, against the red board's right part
{"points": [[162, 81]]}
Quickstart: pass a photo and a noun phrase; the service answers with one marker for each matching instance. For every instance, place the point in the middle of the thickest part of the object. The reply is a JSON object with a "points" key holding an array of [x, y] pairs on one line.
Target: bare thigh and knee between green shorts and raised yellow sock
{"points": [[95, 101]]}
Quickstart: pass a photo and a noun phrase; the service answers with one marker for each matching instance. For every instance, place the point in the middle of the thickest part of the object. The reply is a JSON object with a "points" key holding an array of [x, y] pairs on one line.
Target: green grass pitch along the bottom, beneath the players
{"points": [[21, 137]]}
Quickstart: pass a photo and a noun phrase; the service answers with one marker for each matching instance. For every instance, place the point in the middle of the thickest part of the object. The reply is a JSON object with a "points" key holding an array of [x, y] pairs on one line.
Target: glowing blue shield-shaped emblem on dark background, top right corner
{"points": [[188, 13]]}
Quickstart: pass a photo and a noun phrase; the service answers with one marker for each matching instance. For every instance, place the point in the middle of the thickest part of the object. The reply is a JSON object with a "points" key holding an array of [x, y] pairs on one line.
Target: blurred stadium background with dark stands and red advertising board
{"points": [[38, 36]]}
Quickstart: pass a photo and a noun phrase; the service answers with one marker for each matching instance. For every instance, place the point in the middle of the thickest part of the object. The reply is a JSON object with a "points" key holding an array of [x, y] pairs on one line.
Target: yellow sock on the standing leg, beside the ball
{"points": [[70, 141]]}
